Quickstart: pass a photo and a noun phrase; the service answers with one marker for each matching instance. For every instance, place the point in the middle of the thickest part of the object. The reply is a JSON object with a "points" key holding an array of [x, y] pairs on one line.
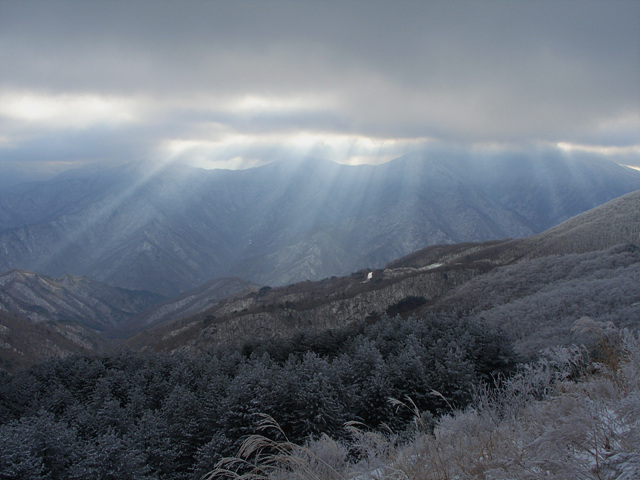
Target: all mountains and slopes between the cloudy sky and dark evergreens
{"points": [[521, 285]]}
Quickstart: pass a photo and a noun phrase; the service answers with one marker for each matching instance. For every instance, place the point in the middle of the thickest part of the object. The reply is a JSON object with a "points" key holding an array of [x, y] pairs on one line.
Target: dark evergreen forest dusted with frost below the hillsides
{"points": [[138, 416]]}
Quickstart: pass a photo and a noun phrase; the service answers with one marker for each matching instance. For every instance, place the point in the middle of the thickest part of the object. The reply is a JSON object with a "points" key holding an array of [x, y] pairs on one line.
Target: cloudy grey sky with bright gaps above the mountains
{"points": [[233, 84]]}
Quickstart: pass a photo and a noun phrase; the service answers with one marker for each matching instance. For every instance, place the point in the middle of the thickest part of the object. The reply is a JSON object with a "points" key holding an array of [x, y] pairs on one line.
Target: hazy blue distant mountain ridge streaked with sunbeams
{"points": [[174, 228]]}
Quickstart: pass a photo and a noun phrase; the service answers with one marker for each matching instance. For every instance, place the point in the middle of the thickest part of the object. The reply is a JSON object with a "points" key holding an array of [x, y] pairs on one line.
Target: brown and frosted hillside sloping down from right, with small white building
{"points": [[534, 287]]}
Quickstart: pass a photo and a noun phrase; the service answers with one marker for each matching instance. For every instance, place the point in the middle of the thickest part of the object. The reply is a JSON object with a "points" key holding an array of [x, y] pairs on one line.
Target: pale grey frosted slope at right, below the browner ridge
{"points": [[536, 302]]}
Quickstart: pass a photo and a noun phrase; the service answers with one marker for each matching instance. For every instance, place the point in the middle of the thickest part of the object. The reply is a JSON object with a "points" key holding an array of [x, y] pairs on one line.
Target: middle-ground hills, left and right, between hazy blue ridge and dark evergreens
{"points": [[533, 288]]}
